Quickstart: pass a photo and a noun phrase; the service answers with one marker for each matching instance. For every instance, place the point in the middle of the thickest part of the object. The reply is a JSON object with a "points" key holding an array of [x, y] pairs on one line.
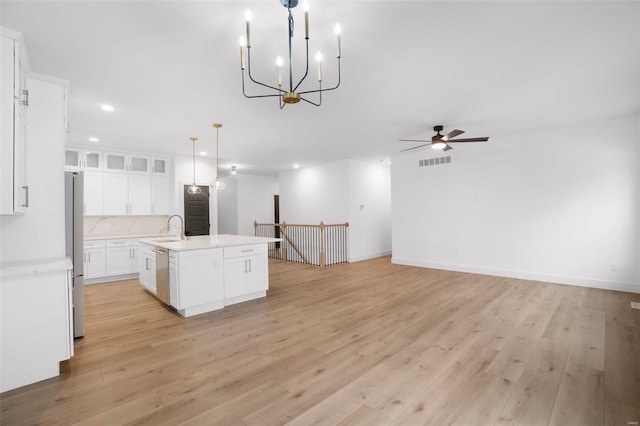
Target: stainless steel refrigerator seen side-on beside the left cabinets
{"points": [[74, 242]]}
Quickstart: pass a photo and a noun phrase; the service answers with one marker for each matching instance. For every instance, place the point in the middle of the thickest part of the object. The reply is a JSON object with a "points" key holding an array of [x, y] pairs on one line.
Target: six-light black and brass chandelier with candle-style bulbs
{"points": [[288, 95]]}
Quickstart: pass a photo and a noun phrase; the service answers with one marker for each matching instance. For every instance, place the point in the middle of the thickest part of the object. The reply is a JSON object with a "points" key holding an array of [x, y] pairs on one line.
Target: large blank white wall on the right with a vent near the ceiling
{"points": [[557, 205]]}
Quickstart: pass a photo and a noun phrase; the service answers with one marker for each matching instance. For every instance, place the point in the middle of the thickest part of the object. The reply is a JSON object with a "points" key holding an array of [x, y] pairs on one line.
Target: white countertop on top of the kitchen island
{"points": [[209, 241]]}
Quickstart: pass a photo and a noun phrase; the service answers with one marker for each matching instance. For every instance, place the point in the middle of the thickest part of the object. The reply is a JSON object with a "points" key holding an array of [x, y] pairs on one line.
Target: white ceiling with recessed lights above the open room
{"points": [[171, 69]]}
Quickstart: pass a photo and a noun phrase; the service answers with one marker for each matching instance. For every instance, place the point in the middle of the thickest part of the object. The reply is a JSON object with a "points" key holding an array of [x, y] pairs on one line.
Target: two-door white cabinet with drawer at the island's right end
{"points": [[246, 271]]}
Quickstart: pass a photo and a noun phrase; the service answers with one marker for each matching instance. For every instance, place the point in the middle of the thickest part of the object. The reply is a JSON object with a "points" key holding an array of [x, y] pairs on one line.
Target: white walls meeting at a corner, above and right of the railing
{"points": [[333, 193]]}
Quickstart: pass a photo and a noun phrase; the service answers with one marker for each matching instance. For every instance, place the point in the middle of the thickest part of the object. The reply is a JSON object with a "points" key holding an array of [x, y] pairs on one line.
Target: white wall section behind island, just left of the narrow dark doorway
{"points": [[255, 201]]}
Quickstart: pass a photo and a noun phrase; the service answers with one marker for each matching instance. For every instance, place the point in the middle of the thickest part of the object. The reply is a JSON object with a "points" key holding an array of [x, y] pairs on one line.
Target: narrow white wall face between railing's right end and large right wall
{"points": [[369, 210]]}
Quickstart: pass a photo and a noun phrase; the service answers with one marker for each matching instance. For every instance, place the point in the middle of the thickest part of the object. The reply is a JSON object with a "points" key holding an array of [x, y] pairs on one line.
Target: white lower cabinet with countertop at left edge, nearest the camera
{"points": [[36, 320]]}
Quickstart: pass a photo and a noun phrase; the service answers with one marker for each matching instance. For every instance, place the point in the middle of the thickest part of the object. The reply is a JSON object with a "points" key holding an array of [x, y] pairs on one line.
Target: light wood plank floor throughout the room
{"points": [[366, 343]]}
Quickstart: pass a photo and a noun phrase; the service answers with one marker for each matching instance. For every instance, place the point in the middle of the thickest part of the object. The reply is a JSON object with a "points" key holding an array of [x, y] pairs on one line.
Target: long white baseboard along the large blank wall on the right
{"points": [[556, 279]]}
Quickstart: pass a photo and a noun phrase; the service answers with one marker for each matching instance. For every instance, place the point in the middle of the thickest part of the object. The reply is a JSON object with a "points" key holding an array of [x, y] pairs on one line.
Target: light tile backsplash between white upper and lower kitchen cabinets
{"points": [[115, 226]]}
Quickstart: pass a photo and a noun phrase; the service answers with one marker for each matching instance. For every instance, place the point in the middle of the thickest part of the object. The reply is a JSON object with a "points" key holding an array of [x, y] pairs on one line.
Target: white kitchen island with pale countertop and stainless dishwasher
{"points": [[205, 273]]}
